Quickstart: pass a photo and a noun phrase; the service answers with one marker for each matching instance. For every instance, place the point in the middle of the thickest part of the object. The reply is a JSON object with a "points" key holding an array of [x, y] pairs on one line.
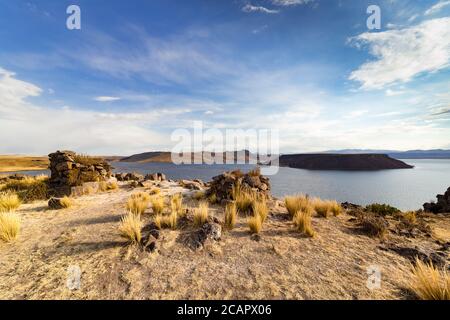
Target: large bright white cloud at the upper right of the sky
{"points": [[403, 54]]}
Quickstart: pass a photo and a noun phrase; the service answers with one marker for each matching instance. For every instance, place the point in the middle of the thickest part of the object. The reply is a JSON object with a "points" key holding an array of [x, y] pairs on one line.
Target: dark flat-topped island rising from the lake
{"points": [[350, 162]]}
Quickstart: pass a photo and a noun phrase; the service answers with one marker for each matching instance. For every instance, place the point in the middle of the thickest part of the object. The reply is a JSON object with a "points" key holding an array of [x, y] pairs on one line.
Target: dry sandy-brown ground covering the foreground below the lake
{"points": [[282, 265]]}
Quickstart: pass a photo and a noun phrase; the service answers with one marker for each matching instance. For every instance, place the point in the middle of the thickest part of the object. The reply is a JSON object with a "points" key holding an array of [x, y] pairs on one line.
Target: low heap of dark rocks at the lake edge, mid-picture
{"points": [[222, 185]]}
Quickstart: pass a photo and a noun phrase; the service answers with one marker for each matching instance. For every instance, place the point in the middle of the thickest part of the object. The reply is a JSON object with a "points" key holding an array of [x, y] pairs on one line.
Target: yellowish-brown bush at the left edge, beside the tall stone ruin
{"points": [[30, 188]]}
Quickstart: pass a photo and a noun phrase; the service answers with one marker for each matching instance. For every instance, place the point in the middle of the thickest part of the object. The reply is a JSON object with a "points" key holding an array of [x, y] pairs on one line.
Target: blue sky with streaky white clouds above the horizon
{"points": [[138, 70]]}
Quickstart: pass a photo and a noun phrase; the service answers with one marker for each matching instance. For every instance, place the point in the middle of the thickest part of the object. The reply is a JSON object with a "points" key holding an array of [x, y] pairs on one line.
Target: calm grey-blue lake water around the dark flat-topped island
{"points": [[406, 189]]}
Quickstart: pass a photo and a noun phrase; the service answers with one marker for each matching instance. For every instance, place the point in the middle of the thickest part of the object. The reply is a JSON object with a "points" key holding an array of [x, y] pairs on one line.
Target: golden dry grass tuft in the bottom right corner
{"points": [[429, 283]]}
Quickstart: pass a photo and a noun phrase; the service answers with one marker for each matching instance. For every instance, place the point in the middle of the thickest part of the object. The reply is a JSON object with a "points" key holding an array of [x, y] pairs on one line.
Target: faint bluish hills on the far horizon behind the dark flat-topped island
{"points": [[411, 154]]}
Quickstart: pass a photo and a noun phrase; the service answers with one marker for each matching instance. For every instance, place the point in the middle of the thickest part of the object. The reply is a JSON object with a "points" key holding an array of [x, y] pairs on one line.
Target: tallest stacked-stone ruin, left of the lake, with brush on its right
{"points": [[69, 171]]}
